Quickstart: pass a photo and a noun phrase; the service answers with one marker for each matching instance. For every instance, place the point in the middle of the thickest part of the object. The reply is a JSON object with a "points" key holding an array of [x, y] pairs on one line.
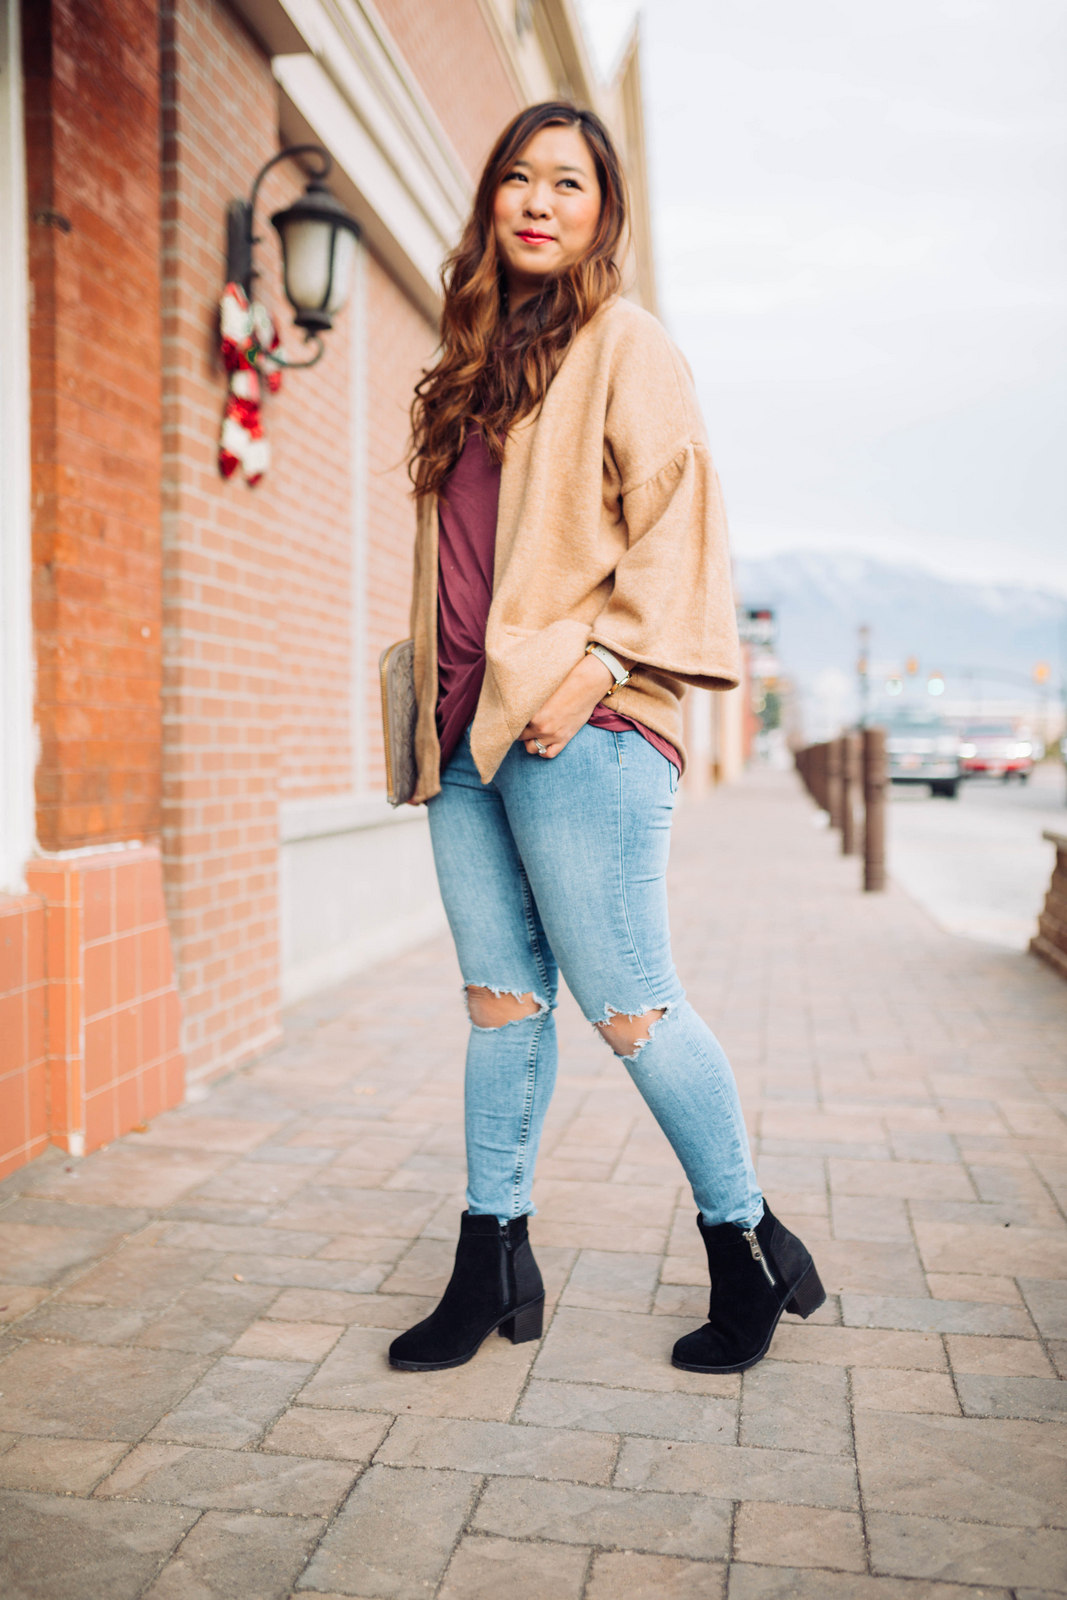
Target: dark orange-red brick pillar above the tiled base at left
{"points": [[92, 113]]}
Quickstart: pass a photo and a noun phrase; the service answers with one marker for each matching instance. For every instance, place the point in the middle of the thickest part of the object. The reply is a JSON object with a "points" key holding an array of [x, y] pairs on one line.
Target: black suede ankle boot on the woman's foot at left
{"points": [[495, 1284]]}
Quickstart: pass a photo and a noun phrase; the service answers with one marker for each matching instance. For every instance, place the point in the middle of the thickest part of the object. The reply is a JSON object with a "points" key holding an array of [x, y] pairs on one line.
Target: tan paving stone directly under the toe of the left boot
{"points": [[358, 1375]]}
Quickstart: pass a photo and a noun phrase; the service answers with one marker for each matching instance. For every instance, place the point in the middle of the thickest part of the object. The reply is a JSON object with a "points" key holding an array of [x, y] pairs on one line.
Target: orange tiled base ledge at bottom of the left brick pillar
{"points": [[90, 1017]]}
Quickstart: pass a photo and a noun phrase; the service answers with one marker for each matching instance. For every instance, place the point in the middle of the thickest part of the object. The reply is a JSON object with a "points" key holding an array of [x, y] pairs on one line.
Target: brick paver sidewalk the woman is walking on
{"points": [[196, 1399]]}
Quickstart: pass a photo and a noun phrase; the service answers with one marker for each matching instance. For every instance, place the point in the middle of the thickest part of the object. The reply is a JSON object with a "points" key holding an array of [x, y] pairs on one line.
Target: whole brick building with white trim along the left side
{"points": [[193, 828]]}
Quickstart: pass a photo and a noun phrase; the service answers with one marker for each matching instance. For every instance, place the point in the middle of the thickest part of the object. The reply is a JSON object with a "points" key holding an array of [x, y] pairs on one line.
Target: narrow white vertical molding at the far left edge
{"points": [[18, 742]]}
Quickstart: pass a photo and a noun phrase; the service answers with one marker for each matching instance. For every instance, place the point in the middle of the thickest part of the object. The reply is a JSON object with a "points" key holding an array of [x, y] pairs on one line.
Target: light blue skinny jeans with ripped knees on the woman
{"points": [[564, 862]]}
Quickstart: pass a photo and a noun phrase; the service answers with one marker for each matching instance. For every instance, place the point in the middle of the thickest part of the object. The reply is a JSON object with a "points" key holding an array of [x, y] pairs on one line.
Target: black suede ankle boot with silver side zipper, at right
{"points": [[757, 1274]]}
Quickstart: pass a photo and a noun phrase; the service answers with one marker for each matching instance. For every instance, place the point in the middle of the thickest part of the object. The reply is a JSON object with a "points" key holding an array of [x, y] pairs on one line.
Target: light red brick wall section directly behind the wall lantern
{"points": [[258, 586]]}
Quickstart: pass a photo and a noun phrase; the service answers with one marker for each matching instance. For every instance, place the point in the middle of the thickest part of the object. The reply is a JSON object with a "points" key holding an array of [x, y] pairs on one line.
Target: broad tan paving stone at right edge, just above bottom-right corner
{"points": [[957, 1466]]}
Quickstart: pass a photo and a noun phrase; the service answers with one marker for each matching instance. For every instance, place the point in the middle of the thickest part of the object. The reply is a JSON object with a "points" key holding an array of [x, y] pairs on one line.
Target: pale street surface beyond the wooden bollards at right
{"points": [[980, 865]]}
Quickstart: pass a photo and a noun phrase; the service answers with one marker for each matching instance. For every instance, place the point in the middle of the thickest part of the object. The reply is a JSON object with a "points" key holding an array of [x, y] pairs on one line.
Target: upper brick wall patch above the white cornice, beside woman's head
{"points": [[454, 55]]}
